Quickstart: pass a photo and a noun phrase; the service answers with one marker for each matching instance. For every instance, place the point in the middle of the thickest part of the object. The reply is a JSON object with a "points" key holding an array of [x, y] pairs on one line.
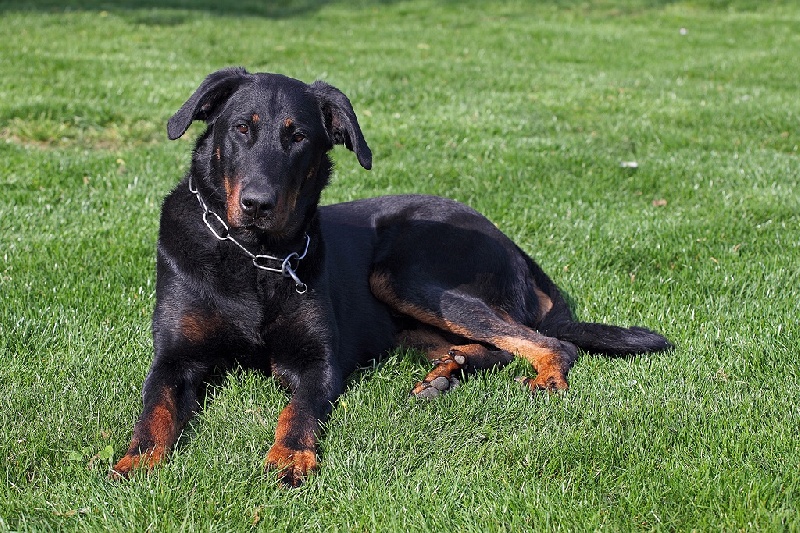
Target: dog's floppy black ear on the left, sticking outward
{"points": [[207, 100]]}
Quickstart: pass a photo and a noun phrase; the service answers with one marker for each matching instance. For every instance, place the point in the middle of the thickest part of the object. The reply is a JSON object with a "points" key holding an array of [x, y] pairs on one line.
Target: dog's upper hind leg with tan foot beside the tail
{"points": [[473, 319]]}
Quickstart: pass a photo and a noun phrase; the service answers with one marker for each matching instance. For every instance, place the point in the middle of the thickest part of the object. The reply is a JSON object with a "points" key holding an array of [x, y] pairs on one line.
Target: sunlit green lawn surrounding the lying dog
{"points": [[523, 111]]}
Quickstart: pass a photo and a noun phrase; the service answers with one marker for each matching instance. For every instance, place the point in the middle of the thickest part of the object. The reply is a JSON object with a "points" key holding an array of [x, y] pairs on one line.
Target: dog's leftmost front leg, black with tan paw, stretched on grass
{"points": [[170, 398]]}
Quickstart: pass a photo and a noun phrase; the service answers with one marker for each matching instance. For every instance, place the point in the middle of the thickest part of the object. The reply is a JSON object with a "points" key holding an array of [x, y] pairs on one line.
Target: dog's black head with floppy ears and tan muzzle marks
{"points": [[266, 144]]}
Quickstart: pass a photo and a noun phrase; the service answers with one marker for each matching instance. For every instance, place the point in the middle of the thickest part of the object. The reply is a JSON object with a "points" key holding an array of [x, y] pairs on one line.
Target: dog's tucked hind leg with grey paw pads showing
{"points": [[449, 360]]}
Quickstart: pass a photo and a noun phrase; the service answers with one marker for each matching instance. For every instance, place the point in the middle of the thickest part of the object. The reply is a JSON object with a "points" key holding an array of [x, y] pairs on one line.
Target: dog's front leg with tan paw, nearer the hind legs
{"points": [[294, 453]]}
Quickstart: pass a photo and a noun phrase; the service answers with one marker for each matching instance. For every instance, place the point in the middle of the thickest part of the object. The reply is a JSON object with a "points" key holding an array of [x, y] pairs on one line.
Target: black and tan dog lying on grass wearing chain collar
{"points": [[252, 272]]}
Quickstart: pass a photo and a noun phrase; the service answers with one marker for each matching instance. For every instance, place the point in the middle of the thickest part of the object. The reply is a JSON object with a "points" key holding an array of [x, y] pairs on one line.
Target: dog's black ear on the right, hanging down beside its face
{"points": [[341, 121]]}
